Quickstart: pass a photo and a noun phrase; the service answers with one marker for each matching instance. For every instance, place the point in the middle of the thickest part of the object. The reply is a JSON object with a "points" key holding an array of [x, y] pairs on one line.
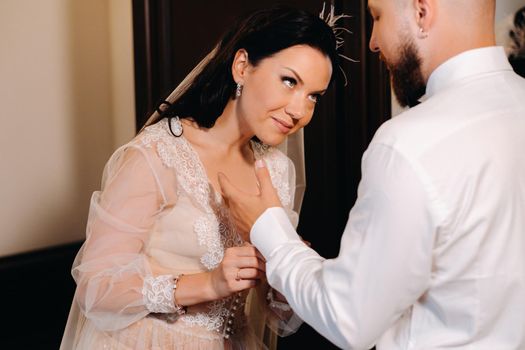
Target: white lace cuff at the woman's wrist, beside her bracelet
{"points": [[157, 293]]}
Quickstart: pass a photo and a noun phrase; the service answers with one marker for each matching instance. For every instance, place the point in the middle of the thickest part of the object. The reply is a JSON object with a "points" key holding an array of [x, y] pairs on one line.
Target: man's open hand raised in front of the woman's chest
{"points": [[246, 208]]}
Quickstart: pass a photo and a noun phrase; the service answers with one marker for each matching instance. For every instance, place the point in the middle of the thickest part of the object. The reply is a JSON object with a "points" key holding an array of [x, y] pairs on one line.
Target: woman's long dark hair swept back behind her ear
{"points": [[262, 34]]}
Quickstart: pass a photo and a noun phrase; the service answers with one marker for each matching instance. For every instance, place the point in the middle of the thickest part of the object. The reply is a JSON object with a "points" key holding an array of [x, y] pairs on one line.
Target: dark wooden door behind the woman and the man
{"points": [[170, 37]]}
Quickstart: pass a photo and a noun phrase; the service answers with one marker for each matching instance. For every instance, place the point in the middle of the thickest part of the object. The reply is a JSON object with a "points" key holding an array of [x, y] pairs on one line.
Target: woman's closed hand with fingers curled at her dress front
{"points": [[241, 268]]}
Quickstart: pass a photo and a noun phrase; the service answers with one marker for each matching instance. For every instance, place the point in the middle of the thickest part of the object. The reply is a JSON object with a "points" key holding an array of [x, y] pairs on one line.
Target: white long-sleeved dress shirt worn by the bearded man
{"points": [[433, 254]]}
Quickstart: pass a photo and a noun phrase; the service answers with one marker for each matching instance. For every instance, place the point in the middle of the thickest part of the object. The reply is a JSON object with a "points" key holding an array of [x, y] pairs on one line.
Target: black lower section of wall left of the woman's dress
{"points": [[36, 293]]}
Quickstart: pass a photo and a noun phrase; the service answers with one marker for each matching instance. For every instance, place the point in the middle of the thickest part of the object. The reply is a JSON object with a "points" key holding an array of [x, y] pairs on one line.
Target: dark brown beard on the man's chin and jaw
{"points": [[407, 80]]}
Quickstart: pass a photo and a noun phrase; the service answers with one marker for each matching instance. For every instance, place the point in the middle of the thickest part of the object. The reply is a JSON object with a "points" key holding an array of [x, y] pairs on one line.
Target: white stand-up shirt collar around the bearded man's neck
{"points": [[465, 65]]}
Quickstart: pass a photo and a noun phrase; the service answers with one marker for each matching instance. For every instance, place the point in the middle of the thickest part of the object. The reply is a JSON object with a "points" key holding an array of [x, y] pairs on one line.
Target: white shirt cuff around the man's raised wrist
{"points": [[272, 229]]}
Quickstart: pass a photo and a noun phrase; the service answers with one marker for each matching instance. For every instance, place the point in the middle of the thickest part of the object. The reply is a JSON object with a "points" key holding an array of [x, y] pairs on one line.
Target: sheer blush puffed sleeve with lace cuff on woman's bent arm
{"points": [[116, 285]]}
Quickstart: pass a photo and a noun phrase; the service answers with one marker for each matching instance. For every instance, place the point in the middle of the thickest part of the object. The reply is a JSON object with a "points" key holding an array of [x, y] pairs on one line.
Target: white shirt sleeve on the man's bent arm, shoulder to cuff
{"points": [[384, 263]]}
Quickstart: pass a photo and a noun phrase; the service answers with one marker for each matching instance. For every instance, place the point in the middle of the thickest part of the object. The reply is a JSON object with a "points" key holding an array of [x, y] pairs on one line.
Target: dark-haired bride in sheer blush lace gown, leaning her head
{"points": [[162, 266]]}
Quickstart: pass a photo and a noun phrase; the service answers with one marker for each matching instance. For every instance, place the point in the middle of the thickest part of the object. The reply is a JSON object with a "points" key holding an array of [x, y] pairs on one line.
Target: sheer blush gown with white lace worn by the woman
{"points": [[156, 217]]}
